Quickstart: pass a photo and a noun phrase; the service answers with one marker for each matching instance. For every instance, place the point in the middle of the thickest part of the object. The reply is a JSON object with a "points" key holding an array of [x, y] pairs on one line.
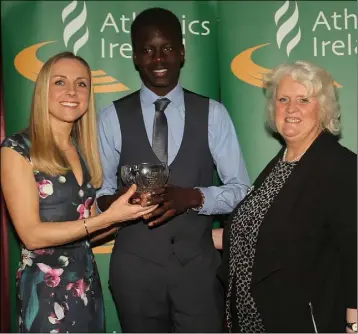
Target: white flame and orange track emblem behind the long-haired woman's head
{"points": [[28, 64]]}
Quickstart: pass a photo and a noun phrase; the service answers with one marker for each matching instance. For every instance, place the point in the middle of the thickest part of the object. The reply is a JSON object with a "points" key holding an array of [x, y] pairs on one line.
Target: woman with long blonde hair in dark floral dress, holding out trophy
{"points": [[49, 174]]}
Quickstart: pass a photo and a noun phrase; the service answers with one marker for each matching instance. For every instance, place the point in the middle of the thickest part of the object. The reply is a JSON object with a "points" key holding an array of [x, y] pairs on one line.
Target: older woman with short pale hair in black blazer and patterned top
{"points": [[290, 246]]}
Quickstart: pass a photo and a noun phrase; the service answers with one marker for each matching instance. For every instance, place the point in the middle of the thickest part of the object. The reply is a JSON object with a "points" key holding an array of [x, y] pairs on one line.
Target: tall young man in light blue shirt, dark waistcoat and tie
{"points": [[163, 274]]}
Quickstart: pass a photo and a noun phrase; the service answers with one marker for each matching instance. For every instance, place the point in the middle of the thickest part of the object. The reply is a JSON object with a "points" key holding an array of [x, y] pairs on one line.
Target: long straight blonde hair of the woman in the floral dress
{"points": [[45, 154]]}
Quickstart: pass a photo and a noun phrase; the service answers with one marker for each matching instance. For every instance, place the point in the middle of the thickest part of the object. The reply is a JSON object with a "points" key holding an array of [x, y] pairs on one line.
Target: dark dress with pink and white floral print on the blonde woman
{"points": [[58, 288]]}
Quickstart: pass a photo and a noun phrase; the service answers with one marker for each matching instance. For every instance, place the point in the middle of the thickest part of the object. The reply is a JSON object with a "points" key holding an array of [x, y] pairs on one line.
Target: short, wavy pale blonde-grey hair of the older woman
{"points": [[317, 81]]}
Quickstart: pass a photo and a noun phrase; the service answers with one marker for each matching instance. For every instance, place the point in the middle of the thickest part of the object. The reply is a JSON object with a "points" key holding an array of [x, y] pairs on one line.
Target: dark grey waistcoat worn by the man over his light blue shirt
{"points": [[188, 234]]}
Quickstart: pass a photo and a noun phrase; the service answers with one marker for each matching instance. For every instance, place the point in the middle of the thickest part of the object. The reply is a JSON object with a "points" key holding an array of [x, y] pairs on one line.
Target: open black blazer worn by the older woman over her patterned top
{"points": [[305, 269]]}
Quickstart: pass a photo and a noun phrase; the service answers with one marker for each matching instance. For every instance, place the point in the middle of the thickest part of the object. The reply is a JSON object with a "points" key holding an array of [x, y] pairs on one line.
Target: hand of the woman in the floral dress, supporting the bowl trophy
{"points": [[121, 210]]}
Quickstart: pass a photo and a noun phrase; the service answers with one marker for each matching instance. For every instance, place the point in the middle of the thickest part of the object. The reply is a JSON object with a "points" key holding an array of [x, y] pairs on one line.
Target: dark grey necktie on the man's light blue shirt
{"points": [[160, 130]]}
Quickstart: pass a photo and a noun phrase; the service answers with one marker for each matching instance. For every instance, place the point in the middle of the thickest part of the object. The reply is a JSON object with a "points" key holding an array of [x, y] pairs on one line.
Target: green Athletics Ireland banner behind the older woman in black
{"points": [[255, 36]]}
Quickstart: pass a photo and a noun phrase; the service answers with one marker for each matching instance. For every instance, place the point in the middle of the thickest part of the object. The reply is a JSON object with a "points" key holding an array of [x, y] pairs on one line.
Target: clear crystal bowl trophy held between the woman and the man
{"points": [[146, 176]]}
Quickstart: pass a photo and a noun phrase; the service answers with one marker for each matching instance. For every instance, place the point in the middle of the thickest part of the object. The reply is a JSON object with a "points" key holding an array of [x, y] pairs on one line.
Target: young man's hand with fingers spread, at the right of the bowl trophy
{"points": [[175, 200]]}
